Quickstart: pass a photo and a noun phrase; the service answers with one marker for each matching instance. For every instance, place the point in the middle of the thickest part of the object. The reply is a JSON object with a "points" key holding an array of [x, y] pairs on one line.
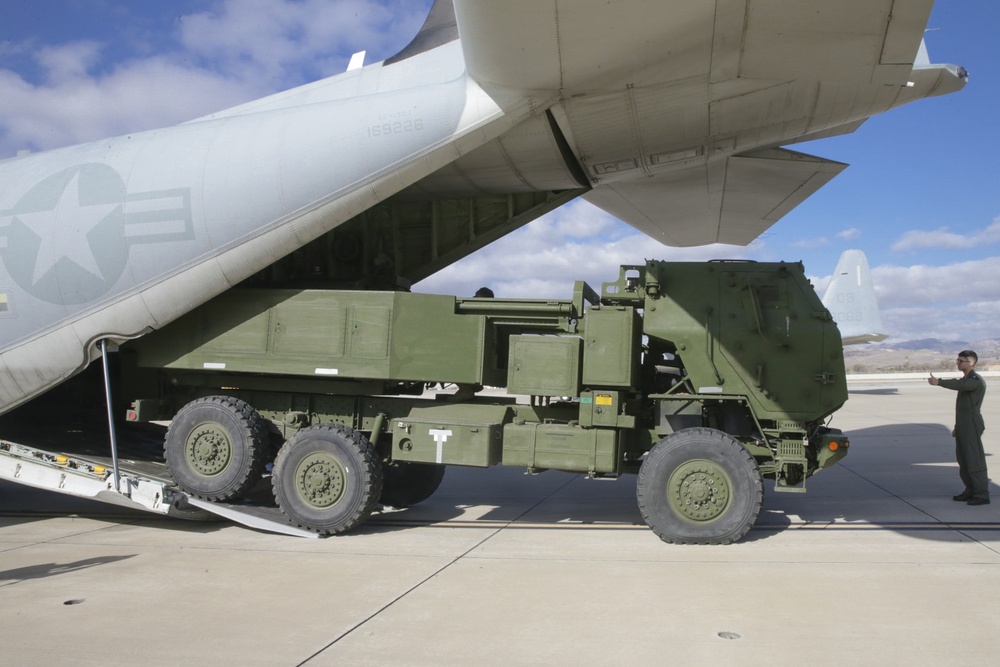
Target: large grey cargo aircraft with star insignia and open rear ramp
{"points": [[672, 116]]}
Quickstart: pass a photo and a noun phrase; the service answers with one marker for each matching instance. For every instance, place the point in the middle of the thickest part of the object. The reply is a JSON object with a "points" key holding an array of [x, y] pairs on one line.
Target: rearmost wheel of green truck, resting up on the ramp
{"points": [[215, 448]]}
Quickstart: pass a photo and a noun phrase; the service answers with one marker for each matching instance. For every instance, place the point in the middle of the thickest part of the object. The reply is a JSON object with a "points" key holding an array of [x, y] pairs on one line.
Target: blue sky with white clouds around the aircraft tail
{"points": [[920, 197]]}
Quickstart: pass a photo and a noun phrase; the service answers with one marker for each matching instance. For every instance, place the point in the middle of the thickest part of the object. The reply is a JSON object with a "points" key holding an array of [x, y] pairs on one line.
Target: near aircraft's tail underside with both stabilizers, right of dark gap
{"points": [[676, 151]]}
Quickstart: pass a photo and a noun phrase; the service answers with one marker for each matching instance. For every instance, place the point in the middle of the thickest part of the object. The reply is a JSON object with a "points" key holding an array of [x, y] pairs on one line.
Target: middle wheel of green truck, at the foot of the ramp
{"points": [[327, 478]]}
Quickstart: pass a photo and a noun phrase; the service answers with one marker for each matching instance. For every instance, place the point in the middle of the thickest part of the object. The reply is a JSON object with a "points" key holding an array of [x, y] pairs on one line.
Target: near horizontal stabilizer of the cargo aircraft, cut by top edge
{"points": [[548, 45]]}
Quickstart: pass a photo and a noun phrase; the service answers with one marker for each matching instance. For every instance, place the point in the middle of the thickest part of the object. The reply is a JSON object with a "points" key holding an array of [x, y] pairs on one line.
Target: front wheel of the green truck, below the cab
{"points": [[699, 486]]}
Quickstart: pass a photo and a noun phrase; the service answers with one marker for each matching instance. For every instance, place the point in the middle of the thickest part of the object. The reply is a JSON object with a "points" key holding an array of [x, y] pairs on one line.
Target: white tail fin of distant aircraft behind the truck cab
{"points": [[850, 298]]}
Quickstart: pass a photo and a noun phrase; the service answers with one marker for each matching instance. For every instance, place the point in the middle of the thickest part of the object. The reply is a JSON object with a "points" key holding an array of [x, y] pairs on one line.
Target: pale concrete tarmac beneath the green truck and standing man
{"points": [[874, 565]]}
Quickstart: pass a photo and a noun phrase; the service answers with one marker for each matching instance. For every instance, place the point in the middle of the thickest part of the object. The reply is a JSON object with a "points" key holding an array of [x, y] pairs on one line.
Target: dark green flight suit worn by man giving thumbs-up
{"points": [[969, 427]]}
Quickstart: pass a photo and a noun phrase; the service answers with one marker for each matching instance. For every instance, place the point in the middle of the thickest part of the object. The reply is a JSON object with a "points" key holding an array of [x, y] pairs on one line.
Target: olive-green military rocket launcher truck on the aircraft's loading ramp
{"points": [[701, 378]]}
